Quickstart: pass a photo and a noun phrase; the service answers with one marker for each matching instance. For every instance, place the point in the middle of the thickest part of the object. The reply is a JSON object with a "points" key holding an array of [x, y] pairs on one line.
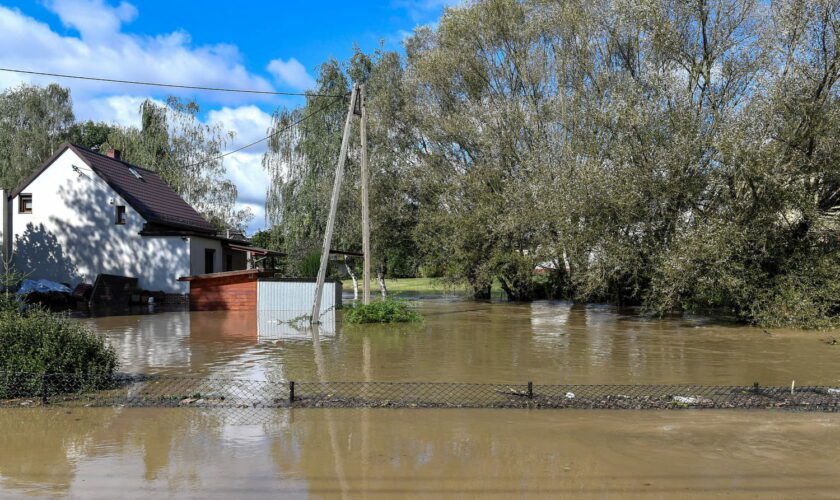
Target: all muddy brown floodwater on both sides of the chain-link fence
{"points": [[389, 453]]}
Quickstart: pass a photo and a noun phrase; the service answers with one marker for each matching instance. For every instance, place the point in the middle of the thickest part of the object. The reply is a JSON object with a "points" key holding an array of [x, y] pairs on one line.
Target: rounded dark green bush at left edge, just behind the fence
{"points": [[37, 345]]}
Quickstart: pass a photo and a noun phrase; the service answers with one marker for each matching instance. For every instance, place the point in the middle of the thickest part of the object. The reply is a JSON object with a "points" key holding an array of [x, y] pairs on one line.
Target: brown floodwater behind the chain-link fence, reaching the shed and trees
{"points": [[464, 341]]}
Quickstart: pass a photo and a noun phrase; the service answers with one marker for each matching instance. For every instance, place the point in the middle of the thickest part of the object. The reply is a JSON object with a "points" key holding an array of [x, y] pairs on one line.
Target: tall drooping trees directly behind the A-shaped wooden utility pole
{"points": [[301, 162]]}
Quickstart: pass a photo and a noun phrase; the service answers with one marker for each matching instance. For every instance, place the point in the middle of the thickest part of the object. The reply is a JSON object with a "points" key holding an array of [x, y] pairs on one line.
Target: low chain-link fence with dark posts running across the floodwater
{"points": [[18, 390]]}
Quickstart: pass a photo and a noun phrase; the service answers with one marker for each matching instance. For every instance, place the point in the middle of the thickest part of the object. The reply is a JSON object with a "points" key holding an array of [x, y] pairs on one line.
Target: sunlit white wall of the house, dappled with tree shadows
{"points": [[71, 235]]}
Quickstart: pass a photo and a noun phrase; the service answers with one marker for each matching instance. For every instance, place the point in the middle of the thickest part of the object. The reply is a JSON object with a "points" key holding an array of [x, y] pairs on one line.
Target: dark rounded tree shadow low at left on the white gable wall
{"points": [[40, 255]]}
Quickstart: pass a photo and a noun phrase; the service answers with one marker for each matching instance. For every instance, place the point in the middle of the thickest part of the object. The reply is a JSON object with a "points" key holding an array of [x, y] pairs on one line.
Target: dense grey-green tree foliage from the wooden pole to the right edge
{"points": [[674, 155]]}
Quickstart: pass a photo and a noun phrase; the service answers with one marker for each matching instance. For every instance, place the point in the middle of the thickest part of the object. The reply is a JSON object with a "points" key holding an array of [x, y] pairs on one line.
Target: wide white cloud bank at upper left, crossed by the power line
{"points": [[111, 53]]}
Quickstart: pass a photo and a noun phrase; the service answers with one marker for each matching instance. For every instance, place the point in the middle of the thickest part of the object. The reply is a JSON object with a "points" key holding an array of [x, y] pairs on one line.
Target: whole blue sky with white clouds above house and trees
{"points": [[262, 45]]}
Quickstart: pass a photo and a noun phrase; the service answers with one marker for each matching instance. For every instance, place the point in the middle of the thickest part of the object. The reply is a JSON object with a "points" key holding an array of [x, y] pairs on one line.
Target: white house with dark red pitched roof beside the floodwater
{"points": [[83, 214]]}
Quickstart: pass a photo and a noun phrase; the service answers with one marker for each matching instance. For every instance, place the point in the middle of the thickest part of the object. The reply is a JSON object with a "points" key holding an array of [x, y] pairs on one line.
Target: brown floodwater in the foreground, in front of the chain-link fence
{"points": [[156, 453]]}
